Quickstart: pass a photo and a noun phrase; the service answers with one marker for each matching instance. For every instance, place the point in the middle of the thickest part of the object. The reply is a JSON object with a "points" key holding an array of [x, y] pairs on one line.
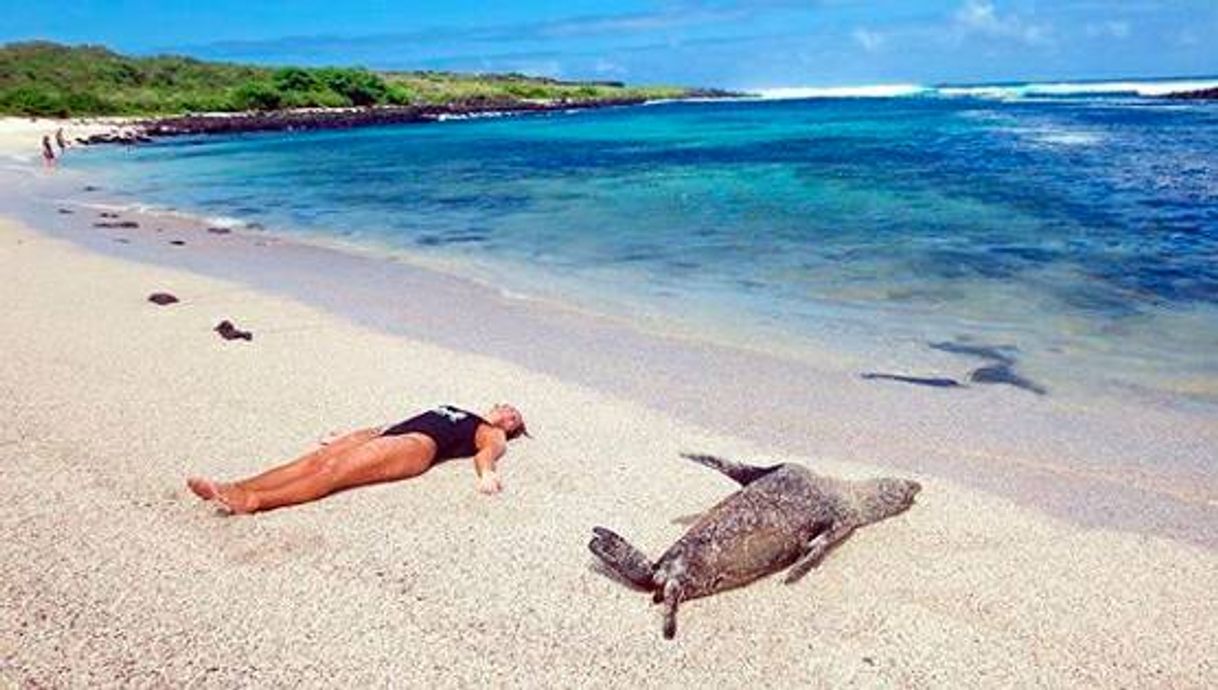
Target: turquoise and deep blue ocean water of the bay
{"points": [[1080, 228]]}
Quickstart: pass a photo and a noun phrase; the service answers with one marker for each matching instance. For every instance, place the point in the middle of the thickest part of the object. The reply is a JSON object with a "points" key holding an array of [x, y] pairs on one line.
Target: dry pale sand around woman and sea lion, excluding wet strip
{"points": [[113, 574]]}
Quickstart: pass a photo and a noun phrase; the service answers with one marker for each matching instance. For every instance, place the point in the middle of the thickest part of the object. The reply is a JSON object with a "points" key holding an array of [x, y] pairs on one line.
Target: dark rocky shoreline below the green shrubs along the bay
{"points": [[144, 131]]}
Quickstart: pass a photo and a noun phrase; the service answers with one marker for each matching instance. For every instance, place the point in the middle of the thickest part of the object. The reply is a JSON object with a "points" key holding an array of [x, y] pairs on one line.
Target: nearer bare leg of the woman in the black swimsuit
{"points": [[381, 459]]}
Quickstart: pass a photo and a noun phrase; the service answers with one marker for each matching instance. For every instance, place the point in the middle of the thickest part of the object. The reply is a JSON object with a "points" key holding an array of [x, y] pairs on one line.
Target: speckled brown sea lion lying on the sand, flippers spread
{"points": [[785, 515]]}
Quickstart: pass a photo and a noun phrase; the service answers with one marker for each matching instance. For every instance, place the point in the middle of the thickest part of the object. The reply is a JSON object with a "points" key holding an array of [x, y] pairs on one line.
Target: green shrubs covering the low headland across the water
{"points": [[58, 81]]}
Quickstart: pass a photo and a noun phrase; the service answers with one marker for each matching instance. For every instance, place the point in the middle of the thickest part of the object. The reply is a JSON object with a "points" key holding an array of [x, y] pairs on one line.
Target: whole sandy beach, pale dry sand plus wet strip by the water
{"points": [[114, 575]]}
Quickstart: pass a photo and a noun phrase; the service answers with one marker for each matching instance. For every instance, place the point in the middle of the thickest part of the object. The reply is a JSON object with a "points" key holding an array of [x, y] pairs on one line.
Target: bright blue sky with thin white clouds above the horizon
{"points": [[725, 43]]}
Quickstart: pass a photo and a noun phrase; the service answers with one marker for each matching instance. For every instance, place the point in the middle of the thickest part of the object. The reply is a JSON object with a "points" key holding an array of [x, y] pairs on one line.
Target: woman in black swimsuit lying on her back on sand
{"points": [[373, 456]]}
